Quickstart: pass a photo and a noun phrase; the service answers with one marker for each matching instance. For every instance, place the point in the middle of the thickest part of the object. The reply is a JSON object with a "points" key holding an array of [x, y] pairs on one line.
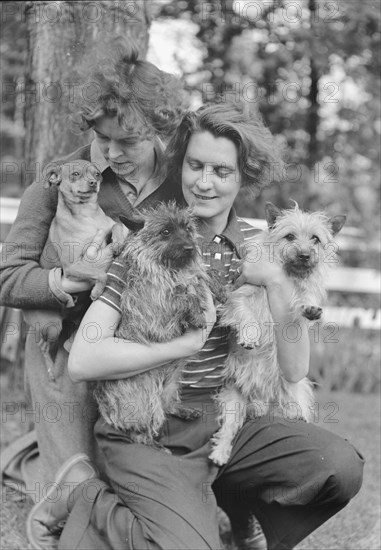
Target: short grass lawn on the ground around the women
{"points": [[356, 527]]}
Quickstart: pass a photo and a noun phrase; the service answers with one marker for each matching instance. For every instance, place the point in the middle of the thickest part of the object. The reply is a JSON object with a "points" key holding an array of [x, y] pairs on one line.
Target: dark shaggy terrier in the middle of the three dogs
{"points": [[166, 292]]}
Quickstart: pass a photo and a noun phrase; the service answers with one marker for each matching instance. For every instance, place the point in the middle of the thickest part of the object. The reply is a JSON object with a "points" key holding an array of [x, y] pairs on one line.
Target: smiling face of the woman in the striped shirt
{"points": [[211, 177]]}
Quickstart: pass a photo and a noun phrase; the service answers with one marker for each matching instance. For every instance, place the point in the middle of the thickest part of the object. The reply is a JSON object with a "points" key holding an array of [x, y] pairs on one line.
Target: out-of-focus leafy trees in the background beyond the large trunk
{"points": [[311, 67]]}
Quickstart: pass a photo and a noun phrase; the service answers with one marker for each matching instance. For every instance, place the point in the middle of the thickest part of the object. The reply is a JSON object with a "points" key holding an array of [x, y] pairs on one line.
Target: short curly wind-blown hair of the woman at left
{"points": [[145, 99]]}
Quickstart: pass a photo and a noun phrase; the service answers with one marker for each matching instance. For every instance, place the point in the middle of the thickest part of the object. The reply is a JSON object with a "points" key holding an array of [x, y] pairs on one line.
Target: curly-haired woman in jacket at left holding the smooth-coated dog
{"points": [[133, 108]]}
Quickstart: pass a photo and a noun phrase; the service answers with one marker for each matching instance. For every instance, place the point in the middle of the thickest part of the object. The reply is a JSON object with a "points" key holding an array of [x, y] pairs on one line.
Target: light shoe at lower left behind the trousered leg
{"points": [[48, 517]]}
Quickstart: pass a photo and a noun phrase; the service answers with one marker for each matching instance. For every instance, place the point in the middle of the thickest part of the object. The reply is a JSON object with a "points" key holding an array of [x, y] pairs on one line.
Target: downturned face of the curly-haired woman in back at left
{"points": [[125, 152]]}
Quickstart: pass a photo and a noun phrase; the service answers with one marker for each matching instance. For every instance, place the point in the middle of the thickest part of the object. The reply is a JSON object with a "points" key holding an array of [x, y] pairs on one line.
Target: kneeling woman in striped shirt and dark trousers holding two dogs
{"points": [[292, 476]]}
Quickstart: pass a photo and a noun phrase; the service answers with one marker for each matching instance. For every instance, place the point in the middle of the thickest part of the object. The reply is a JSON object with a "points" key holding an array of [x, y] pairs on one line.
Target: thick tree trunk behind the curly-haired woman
{"points": [[60, 34]]}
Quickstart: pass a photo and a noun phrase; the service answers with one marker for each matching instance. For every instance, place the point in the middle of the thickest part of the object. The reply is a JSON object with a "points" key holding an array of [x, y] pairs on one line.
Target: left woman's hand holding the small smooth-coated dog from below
{"points": [[94, 260]]}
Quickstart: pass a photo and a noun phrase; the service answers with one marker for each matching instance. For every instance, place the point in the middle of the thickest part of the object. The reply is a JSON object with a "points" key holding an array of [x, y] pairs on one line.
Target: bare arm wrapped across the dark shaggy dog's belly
{"points": [[97, 354]]}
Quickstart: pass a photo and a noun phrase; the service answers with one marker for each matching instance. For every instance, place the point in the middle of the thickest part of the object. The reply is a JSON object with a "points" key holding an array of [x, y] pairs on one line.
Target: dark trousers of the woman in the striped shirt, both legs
{"points": [[292, 475]]}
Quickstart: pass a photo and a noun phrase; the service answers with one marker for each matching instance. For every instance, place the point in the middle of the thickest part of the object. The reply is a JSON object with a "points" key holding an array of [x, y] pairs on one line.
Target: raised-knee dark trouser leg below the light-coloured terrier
{"points": [[292, 476]]}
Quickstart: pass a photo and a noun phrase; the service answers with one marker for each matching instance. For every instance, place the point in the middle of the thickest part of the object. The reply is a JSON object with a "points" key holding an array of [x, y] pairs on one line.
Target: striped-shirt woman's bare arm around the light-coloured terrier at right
{"points": [[292, 337]]}
